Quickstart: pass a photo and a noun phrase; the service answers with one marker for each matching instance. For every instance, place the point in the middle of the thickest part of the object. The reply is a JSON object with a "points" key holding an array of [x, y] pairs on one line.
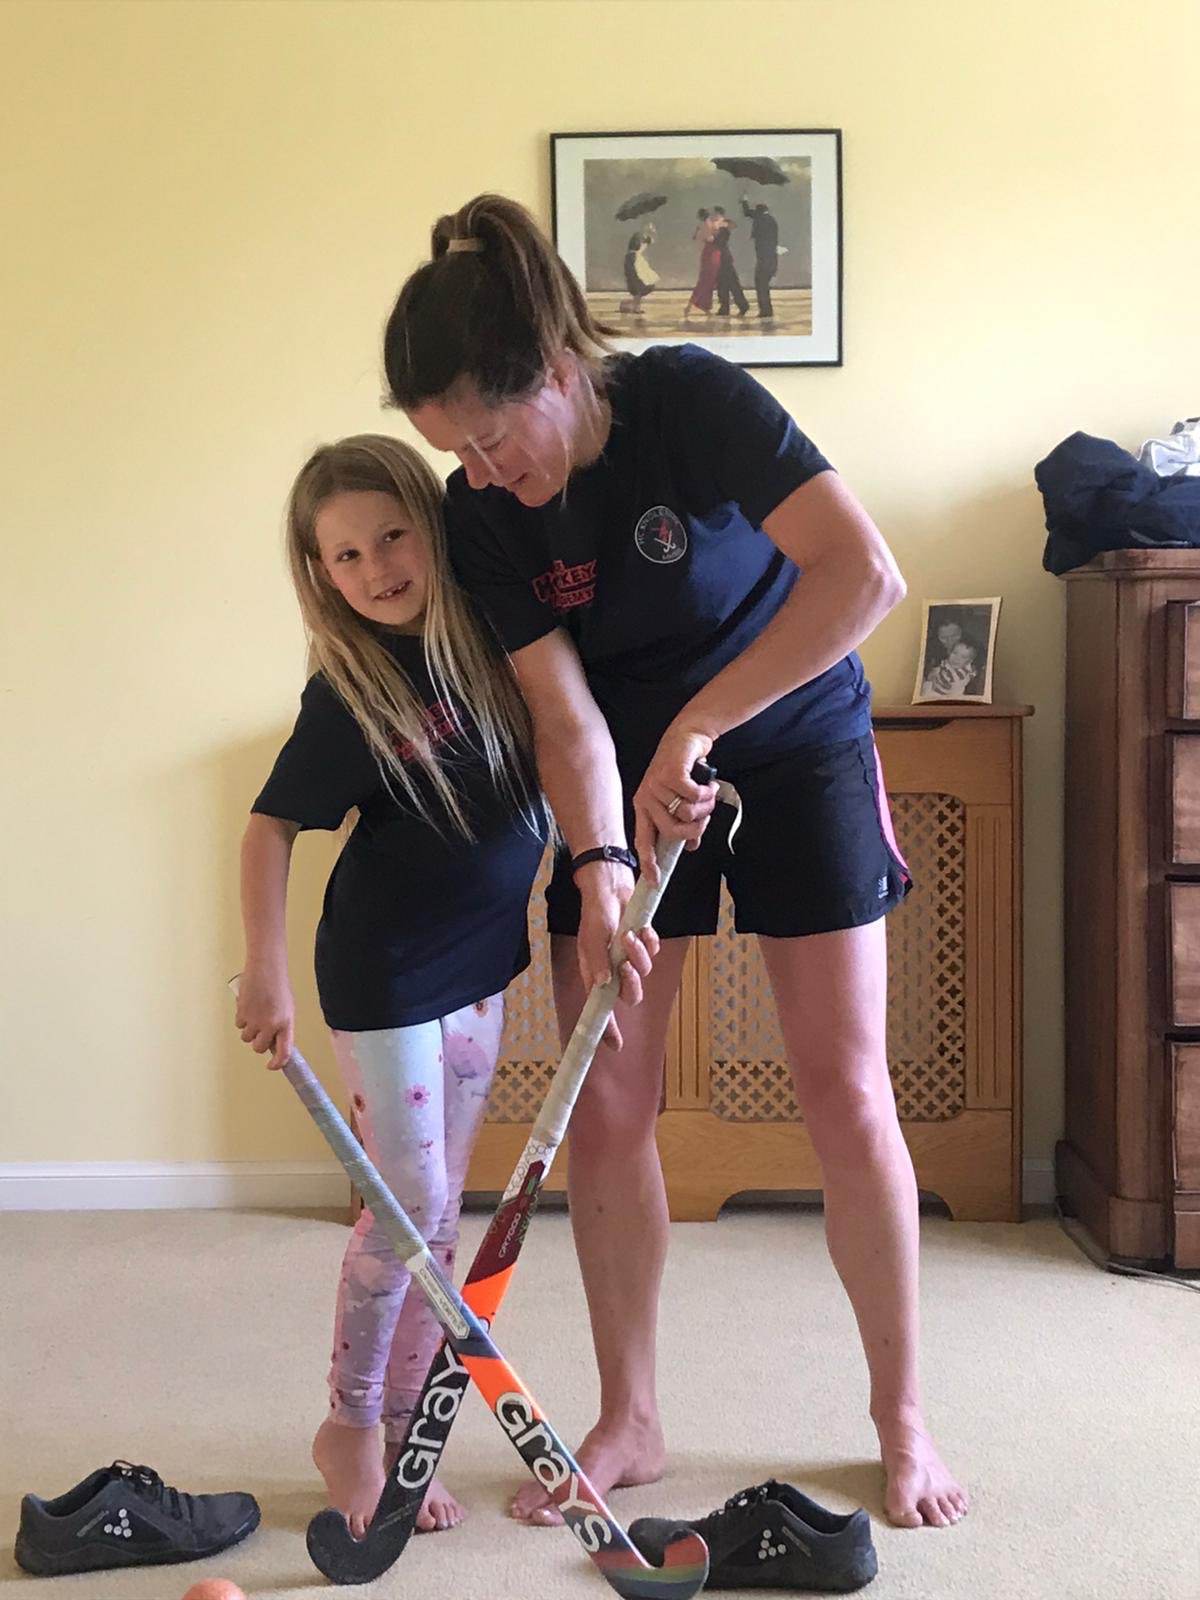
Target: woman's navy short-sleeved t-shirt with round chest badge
{"points": [[657, 562]]}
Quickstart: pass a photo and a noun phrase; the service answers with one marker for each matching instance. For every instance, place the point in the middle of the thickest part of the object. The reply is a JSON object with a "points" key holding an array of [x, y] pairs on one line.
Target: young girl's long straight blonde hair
{"points": [[470, 671]]}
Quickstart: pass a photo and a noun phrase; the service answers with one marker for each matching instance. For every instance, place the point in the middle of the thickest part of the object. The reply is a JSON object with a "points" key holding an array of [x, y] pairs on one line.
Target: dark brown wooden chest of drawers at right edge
{"points": [[1130, 1162]]}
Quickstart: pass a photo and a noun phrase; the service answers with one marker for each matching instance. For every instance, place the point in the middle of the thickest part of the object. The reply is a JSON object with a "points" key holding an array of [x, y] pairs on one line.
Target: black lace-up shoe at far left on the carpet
{"points": [[127, 1516]]}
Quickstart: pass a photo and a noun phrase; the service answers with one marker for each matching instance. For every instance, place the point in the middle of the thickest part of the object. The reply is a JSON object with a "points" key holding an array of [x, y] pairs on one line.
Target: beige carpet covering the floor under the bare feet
{"points": [[196, 1342]]}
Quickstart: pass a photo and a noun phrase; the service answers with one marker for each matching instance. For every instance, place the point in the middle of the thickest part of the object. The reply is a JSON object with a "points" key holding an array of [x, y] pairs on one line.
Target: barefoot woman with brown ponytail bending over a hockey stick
{"points": [[636, 529]]}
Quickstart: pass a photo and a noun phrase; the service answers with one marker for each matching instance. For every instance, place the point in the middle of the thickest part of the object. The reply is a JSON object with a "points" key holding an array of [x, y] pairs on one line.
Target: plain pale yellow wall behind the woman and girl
{"points": [[207, 214]]}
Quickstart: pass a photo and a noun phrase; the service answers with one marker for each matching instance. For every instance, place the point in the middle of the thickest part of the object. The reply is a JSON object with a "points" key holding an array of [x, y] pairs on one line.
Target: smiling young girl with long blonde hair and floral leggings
{"points": [[415, 721]]}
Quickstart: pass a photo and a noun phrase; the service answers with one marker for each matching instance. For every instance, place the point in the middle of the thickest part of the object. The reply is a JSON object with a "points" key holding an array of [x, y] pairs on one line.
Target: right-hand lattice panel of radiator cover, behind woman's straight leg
{"points": [[927, 988]]}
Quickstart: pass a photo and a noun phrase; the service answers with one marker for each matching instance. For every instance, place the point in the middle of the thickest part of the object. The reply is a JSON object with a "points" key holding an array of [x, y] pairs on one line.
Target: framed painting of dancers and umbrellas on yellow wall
{"points": [[730, 241]]}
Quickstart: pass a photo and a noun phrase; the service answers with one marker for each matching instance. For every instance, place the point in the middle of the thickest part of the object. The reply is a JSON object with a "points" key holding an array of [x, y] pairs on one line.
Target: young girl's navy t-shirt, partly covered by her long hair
{"points": [[417, 921]]}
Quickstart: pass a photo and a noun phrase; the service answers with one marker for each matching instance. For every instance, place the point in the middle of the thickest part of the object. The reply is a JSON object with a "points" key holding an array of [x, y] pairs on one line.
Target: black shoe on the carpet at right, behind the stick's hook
{"points": [[774, 1537]]}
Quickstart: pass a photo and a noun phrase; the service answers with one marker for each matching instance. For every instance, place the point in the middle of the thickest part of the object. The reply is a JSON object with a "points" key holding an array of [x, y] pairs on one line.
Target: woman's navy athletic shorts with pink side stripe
{"points": [[815, 854]]}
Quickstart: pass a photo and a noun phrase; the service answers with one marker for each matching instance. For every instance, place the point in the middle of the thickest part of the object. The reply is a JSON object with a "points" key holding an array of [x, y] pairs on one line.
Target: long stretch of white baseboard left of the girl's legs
{"points": [[164, 1186]]}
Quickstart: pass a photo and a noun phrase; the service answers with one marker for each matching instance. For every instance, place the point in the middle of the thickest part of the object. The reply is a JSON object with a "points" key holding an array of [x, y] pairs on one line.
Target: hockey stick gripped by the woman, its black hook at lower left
{"points": [[332, 1546]]}
